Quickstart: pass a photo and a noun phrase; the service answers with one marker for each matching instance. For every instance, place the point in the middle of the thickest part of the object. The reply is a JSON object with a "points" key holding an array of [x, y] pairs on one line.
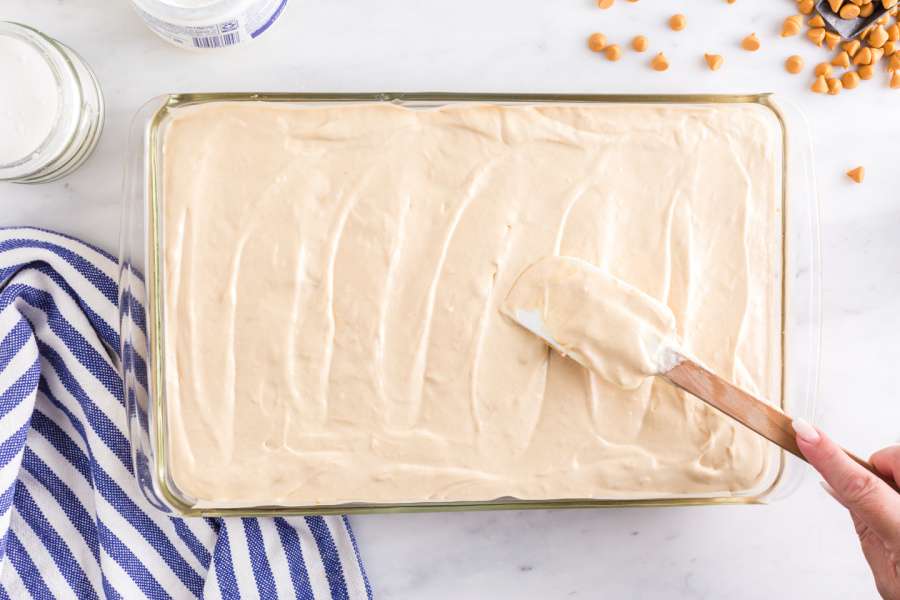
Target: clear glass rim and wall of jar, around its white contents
{"points": [[79, 118]]}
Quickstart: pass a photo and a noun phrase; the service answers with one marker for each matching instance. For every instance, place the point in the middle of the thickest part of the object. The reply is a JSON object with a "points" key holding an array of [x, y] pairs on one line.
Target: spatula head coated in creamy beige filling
{"points": [[615, 330]]}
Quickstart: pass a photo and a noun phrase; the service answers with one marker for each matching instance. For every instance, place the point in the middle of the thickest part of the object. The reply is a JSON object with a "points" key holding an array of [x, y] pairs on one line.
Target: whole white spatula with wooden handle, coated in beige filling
{"points": [[578, 309]]}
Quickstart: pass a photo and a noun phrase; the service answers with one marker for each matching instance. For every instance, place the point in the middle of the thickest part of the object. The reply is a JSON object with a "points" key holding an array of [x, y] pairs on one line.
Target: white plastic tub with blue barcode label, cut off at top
{"points": [[209, 24]]}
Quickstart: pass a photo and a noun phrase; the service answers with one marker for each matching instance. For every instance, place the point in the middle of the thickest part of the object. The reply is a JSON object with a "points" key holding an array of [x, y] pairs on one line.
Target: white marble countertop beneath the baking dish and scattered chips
{"points": [[802, 546]]}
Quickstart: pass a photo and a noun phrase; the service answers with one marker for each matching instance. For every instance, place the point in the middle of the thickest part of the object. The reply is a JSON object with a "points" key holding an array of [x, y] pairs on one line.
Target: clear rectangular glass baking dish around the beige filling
{"points": [[143, 324]]}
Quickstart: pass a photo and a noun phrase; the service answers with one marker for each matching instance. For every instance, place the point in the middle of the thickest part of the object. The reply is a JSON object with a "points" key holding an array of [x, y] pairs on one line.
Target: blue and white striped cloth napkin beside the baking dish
{"points": [[72, 520]]}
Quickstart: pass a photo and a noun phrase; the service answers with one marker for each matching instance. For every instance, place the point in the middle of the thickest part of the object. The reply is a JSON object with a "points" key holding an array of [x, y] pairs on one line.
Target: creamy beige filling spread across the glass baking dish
{"points": [[334, 276]]}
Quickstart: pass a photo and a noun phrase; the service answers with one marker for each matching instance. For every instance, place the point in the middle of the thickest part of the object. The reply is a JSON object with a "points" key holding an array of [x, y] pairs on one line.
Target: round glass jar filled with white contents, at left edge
{"points": [[51, 107]]}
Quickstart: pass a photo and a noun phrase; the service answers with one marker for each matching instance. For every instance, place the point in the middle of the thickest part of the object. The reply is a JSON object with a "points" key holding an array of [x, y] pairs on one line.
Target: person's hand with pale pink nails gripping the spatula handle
{"points": [[873, 505]]}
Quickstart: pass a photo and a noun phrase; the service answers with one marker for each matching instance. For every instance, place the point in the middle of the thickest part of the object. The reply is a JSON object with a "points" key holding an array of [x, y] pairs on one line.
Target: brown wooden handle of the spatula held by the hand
{"points": [[765, 419]]}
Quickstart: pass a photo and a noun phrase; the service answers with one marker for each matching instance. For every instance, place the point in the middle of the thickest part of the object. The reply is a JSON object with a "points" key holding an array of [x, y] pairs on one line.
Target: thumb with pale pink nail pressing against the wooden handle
{"points": [[868, 497]]}
